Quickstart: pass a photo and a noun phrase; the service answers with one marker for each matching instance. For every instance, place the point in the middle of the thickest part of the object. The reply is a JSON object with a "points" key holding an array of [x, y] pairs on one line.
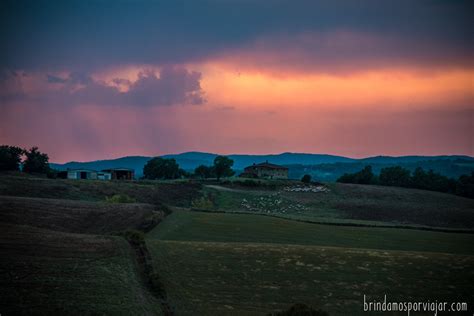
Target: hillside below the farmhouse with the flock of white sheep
{"points": [[348, 203]]}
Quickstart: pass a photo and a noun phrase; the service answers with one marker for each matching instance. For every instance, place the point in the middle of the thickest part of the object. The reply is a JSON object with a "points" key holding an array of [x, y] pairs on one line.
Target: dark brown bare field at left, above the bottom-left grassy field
{"points": [[77, 216]]}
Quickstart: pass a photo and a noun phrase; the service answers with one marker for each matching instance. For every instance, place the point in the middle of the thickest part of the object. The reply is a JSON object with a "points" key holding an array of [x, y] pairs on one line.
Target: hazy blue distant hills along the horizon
{"points": [[323, 167]]}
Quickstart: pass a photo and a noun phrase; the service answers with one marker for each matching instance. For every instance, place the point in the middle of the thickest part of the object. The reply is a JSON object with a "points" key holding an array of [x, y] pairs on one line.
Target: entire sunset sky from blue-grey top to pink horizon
{"points": [[87, 80]]}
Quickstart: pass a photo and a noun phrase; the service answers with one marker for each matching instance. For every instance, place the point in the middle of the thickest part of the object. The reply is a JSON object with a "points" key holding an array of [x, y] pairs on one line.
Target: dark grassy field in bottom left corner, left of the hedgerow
{"points": [[54, 273]]}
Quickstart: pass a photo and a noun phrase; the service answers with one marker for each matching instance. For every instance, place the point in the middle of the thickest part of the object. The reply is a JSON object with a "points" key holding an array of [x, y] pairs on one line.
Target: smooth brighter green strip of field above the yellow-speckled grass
{"points": [[223, 227]]}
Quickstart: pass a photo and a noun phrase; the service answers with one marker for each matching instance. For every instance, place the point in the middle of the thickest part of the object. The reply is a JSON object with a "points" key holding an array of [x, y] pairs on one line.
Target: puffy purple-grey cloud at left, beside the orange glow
{"points": [[174, 85]]}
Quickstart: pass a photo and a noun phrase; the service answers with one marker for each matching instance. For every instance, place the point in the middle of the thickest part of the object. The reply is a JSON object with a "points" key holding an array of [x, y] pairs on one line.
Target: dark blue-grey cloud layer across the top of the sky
{"points": [[91, 34]]}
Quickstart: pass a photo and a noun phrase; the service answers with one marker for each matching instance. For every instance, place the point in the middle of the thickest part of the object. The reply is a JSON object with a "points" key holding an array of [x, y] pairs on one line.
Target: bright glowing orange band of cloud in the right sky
{"points": [[395, 88]]}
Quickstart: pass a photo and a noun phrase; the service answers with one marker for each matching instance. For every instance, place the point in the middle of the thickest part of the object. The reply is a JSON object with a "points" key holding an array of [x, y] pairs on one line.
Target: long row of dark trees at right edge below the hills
{"points": [[419, 179]]}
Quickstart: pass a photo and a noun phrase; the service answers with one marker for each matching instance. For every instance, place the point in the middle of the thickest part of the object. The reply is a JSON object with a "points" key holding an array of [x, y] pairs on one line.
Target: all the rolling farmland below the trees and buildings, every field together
{"points": [[61, 251]]}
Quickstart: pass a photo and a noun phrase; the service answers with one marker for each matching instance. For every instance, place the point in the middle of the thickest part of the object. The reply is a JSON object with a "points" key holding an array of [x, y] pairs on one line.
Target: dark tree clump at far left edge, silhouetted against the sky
{"points": [[13, 158]]}
